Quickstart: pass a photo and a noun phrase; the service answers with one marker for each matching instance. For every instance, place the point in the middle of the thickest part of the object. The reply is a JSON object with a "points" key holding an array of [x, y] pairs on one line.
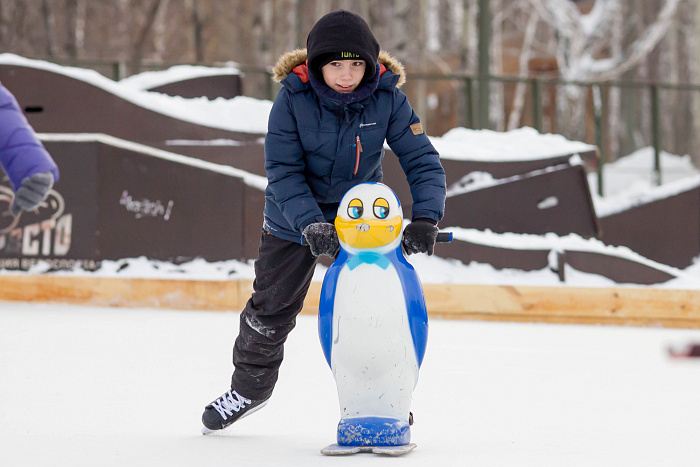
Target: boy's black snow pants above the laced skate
{"points": [[283, 273]]}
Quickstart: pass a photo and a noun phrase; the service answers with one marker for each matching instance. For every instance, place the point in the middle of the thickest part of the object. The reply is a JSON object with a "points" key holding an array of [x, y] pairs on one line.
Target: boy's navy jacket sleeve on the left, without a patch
{"points": [[285, 166]]}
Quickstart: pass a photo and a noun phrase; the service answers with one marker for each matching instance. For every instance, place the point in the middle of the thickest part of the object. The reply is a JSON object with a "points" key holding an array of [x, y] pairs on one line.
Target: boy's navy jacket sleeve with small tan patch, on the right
{"points": [[419, 160]]}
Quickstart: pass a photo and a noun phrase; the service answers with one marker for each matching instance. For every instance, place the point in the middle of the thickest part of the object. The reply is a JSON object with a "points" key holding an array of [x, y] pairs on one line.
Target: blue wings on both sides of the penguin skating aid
{"points": [[412, 290]]}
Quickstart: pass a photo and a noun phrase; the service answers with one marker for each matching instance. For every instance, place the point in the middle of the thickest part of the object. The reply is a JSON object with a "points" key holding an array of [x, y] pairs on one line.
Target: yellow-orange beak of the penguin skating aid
{"points": [[368, 233]]}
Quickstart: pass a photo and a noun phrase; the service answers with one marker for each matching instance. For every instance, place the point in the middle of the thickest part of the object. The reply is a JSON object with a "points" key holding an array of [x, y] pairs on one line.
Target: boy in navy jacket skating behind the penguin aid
{"points": [[325, 135]]}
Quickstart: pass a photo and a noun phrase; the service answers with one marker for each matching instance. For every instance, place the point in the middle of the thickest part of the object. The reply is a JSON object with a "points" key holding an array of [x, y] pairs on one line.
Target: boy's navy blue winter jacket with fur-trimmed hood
{"points": [[321, 143]]}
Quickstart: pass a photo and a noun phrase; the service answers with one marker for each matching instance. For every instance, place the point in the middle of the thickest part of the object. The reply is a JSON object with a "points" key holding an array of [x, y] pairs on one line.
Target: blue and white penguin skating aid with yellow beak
{"points": [[373, 324]]}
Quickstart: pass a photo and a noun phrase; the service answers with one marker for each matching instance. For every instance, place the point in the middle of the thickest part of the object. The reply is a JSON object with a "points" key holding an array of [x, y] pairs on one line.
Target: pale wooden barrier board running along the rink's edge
{"points": [[618, 306]]}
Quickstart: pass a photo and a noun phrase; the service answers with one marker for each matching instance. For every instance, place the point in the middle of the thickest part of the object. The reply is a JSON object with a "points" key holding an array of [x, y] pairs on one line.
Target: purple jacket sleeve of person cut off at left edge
{"points": [[21, 153]]}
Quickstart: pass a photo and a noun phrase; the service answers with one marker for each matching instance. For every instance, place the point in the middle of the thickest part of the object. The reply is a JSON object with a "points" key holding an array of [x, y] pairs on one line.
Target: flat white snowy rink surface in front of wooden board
{"points": [[85, 386]]}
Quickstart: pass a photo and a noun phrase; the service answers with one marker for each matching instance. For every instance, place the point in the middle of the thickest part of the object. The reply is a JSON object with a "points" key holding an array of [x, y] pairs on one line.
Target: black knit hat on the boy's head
{"points": [[341, 35]]}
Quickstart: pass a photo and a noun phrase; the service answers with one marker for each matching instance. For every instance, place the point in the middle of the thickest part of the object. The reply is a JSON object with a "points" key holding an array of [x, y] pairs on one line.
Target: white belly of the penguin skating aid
{"points": [[373, 356]]}
